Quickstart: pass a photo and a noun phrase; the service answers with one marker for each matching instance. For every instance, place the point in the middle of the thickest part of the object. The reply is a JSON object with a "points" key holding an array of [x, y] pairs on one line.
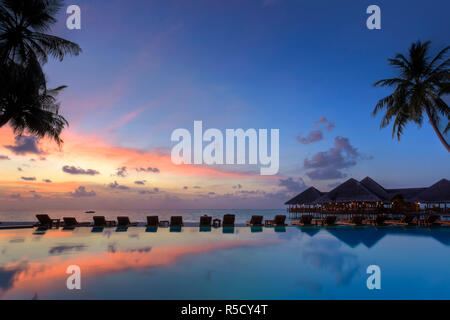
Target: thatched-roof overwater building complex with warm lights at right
{"points": [[369, 198]]}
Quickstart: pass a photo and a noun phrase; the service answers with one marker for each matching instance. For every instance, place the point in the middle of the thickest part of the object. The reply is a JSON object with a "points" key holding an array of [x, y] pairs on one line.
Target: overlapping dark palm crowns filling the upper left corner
{"points": [[25, 102]]}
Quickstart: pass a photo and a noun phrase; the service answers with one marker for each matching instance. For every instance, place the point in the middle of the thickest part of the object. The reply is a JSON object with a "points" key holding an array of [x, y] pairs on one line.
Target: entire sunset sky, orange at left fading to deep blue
{"points": [[305, 67]]}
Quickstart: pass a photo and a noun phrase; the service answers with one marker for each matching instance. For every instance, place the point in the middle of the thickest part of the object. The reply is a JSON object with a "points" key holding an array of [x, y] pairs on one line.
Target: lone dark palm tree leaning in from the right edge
{"points": [[419, 88]]}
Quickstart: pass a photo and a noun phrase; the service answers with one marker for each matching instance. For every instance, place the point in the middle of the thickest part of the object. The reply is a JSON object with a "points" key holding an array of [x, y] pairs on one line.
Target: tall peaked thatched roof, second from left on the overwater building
{"points": [[349, 191]]}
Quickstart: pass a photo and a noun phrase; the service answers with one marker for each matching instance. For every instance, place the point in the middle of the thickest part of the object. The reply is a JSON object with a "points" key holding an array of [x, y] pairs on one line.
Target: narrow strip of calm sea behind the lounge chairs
{"points": [[189, 216]]}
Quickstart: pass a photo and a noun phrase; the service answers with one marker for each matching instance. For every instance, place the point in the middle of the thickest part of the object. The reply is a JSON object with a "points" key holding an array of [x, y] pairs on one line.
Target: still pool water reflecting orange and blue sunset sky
{"points": [[290, 263]]}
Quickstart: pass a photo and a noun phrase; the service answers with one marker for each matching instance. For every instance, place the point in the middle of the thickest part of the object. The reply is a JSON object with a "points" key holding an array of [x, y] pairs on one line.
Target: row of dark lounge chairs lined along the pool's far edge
{"points": [[229, 221]]}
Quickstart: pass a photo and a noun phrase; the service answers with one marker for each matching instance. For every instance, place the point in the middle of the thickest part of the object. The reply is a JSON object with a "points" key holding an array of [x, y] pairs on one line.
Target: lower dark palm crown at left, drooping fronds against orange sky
{"points": [[26, 103]]}
